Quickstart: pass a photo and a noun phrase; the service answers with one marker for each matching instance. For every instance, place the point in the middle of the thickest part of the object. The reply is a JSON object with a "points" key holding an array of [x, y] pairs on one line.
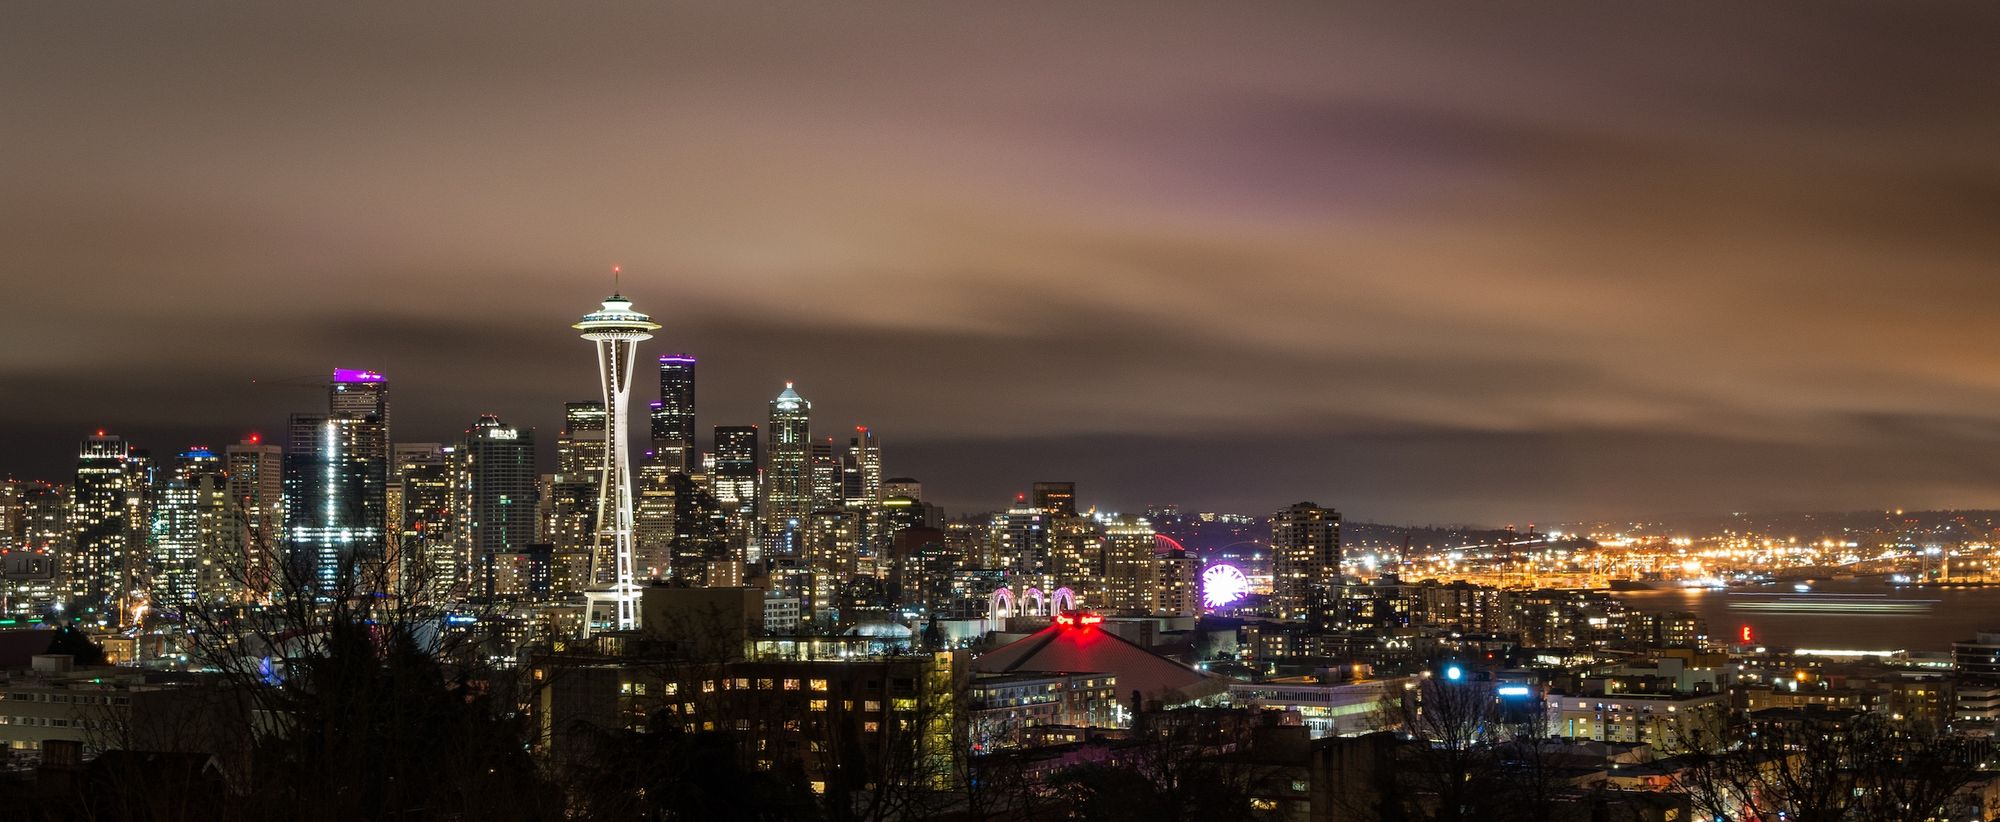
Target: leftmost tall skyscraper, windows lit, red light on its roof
{"points": [[101, 523]]}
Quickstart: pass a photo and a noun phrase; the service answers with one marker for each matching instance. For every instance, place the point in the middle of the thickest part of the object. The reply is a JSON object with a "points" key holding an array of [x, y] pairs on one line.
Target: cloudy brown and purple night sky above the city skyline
{"points": [[1419, 263]]}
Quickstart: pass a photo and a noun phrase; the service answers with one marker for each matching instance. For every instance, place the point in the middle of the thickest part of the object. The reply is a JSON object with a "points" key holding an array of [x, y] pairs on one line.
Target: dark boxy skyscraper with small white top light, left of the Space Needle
{"points": [[495, 497]]}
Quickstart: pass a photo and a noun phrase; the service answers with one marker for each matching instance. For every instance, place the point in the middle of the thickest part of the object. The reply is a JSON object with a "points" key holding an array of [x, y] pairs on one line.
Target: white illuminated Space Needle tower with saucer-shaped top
{"points": [[617, 331]]}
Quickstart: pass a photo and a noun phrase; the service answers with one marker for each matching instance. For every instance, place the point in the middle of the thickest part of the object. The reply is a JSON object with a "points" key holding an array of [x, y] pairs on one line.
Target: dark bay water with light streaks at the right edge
{"points": [[1861, 615]]}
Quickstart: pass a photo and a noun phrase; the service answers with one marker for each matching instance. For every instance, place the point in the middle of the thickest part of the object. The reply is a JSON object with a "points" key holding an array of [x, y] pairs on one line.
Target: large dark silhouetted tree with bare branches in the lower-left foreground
{"points": [[367, 695]]}
